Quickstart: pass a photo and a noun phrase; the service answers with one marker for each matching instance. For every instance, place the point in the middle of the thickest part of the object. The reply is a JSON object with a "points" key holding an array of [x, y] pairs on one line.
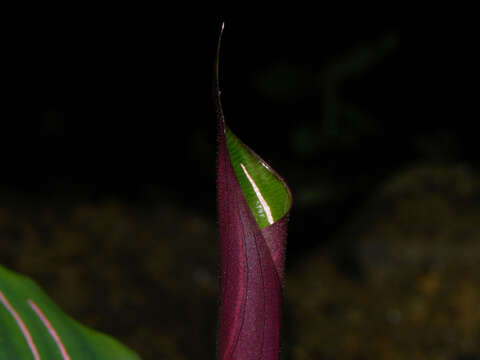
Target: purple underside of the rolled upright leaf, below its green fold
{"points": [[252, 267]]}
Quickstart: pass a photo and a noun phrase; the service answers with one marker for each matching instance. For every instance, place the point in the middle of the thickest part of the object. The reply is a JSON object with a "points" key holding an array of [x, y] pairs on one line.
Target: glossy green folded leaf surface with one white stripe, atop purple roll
{"points": [[266, 193]]}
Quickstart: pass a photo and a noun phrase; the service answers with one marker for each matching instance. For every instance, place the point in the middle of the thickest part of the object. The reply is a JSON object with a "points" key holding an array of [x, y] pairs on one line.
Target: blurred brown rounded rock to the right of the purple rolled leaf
{"points": [[415, 295]]}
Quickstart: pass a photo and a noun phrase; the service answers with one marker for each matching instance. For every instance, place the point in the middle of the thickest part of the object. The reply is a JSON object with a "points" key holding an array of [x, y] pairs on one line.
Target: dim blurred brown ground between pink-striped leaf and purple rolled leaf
{"points": [[145, 276]]}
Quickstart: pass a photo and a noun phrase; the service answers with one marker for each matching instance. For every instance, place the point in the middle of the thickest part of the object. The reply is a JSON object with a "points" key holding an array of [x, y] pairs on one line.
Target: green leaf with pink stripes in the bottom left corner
{"points": [[33, 327]]}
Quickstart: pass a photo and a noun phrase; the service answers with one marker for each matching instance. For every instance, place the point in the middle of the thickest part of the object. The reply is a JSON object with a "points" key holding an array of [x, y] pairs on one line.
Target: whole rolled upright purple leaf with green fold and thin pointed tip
{"points": [[253, 206]]}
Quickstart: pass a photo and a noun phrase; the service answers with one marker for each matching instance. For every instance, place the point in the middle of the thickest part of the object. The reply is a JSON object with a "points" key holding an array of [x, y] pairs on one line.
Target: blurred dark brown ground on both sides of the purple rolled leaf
{"points": [[149, 275]]}
